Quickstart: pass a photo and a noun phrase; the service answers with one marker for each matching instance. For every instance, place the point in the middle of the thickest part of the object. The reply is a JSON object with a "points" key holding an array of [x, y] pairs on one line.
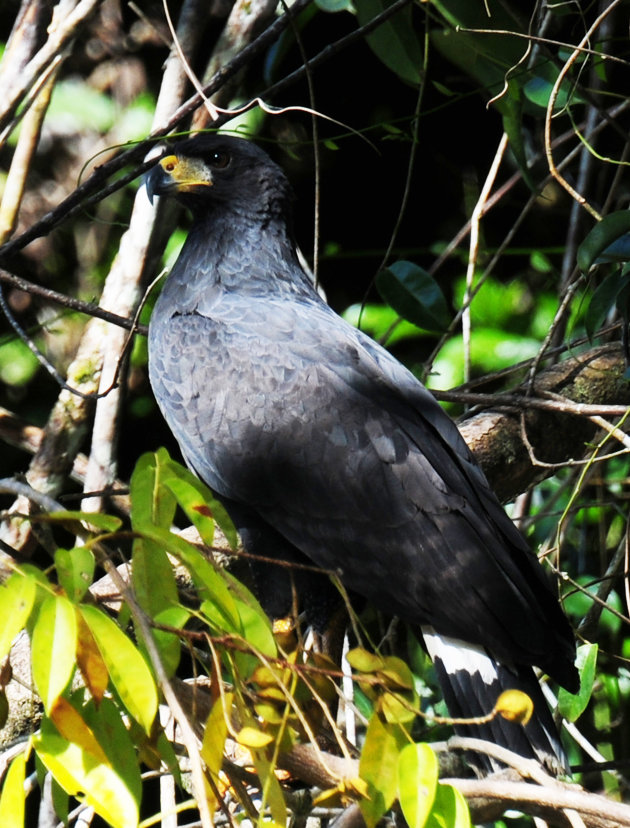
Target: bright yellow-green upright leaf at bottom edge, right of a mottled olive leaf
{"points": [[417, 783]]}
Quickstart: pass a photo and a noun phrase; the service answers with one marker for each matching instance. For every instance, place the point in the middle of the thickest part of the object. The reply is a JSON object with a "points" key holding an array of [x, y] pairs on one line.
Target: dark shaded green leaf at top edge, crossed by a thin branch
{"points": [[395, 42]]}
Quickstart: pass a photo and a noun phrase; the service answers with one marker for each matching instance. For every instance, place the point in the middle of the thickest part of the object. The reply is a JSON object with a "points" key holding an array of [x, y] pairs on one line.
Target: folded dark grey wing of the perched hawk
{"points": [[284, 407]]}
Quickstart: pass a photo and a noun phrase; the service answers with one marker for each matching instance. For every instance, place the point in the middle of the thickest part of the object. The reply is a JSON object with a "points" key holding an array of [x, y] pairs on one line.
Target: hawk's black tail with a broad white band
{"points": [[472, 682]]}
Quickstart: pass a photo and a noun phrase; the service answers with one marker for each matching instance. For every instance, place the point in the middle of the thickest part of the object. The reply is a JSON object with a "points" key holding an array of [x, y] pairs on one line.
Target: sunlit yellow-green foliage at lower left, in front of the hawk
{"points": [[99, 686]]}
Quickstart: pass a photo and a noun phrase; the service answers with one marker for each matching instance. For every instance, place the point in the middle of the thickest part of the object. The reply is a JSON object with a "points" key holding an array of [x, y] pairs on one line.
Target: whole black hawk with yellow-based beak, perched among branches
{"points": [[326, 450]]}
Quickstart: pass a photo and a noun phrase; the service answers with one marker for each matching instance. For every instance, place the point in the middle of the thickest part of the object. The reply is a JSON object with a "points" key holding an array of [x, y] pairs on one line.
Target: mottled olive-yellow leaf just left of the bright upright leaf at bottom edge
{"points": [[377, 767]]}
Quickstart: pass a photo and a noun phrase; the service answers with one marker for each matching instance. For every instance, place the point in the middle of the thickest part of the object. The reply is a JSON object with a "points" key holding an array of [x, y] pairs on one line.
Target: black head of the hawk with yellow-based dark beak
{"points": [[210, 170]]}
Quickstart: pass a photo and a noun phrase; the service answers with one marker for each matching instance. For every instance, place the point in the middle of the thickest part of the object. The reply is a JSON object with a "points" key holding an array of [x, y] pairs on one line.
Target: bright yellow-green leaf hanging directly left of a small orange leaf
{"points": [[53, 648]]}
